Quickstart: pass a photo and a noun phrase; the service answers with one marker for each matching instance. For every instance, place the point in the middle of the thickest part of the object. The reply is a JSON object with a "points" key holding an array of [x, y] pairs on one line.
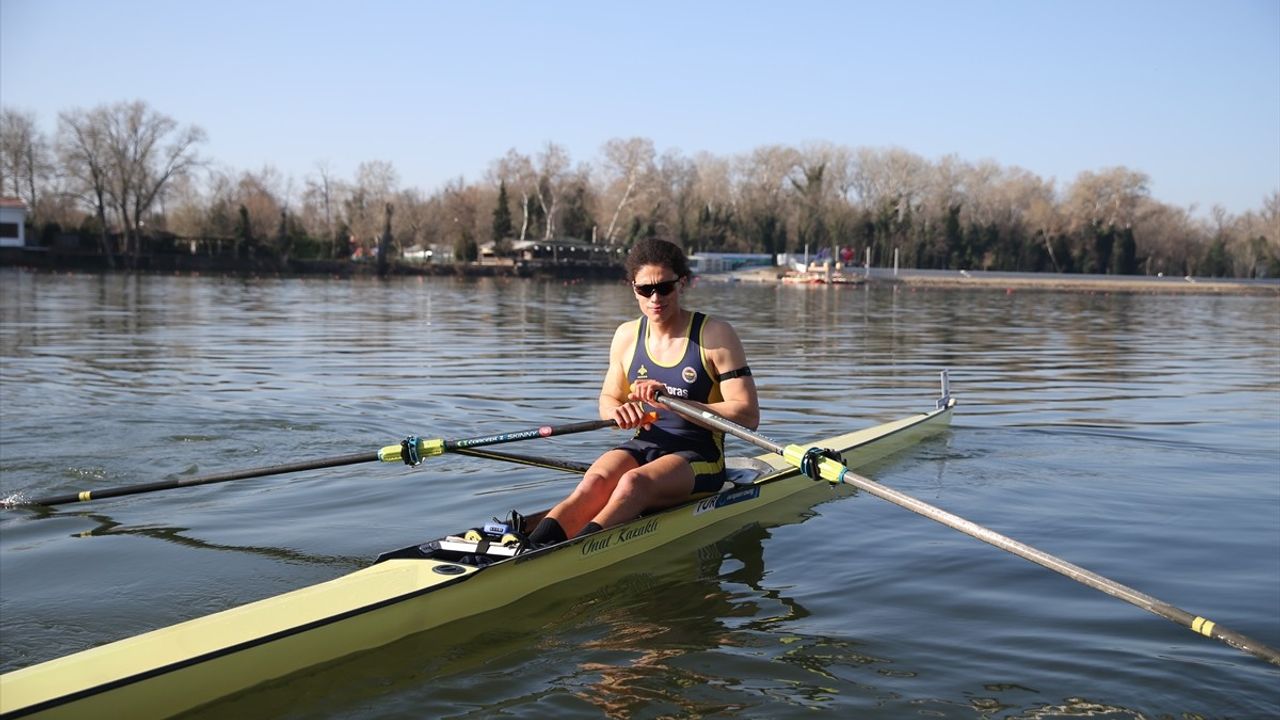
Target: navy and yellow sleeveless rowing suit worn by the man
{"points": [[688, 379]]}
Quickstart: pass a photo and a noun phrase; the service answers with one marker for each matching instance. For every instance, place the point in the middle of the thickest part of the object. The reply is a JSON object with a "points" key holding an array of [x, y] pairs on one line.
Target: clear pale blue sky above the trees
{"points": [[1187, 93]]}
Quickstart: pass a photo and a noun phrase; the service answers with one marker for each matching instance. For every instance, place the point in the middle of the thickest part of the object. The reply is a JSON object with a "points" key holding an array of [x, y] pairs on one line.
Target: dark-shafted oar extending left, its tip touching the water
{"points": [[417, 450]]}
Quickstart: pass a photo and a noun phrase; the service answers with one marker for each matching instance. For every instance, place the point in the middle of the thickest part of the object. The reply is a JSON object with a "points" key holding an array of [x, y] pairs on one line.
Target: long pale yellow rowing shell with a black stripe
{"points": [[175, 669]]}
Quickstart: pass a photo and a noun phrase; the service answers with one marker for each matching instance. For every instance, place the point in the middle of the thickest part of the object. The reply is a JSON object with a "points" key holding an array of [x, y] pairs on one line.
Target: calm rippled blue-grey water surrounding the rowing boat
{"points": [[1137, 436]]}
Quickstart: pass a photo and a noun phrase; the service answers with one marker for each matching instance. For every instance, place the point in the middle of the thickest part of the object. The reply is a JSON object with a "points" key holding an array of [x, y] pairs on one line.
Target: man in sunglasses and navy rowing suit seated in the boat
{"points": [[668, 350]]}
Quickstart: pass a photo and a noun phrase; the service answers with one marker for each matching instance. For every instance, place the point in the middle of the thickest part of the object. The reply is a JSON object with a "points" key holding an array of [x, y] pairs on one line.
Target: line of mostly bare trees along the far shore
{"points": [[125, 172]]}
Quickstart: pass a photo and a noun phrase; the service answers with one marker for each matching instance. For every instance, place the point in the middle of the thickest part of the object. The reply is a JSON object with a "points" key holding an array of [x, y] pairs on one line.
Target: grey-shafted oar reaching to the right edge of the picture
{"points": [[833, 471]]}
